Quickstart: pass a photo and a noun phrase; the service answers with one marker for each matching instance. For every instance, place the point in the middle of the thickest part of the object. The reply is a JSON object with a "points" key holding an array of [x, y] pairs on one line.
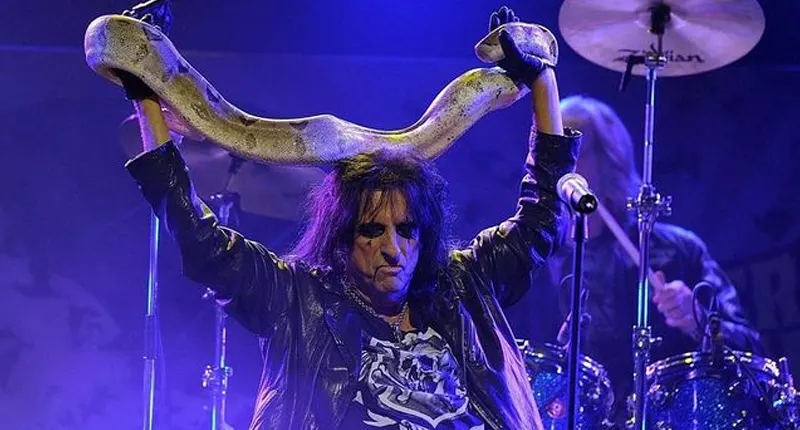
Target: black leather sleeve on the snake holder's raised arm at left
{"points": [[251, 280]]}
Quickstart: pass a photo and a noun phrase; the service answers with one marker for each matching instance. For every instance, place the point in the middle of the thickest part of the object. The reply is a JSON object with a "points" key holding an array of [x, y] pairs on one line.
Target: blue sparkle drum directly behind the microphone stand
{"points": [[547, 367]]}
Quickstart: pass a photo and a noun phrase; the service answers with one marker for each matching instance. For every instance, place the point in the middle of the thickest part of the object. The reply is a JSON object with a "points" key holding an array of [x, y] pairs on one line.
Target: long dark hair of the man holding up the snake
{"points": [[332, 213]]}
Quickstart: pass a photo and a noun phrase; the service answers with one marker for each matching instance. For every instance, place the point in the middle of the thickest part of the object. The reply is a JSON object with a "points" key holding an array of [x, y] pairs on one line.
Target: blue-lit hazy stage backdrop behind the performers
{"points": [[74, 228]]}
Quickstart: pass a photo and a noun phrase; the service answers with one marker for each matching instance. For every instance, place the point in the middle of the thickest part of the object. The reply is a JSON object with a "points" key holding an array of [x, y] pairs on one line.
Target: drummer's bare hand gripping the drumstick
{"points": [[674, 301]]}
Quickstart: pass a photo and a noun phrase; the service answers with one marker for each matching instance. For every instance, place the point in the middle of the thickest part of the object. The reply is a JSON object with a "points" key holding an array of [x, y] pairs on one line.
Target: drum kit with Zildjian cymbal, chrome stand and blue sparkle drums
{"points": [[713, 387]]}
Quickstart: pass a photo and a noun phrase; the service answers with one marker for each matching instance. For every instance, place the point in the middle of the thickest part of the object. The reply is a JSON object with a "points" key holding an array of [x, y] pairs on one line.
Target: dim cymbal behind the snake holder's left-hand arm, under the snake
{"points": [[265, 189]]}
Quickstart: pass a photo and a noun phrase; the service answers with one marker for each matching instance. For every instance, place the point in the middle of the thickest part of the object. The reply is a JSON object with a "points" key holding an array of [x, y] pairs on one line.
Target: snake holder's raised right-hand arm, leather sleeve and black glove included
{"points": [[506, 254]]}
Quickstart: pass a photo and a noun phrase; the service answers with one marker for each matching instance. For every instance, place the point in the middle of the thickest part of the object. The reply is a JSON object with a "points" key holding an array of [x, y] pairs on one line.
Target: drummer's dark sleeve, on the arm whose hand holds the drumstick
{"points": [[737, 331]]}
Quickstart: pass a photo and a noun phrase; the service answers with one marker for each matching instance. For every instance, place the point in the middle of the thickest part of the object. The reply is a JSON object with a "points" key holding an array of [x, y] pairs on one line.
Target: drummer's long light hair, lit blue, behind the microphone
{"points": [[605, 138]]}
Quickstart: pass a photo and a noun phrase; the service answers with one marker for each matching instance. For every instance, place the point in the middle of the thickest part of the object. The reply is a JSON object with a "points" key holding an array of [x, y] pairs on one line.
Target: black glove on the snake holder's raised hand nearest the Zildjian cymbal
{"points": [[521, 68]]}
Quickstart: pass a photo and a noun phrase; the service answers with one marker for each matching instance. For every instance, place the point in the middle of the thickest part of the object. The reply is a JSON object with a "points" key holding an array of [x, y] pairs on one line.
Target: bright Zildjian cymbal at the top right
{"points": [[701, 35]]}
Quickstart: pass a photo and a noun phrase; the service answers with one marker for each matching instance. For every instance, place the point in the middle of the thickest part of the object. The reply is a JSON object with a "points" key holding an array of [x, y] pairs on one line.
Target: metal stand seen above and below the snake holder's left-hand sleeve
{"points": [[226, 207]]}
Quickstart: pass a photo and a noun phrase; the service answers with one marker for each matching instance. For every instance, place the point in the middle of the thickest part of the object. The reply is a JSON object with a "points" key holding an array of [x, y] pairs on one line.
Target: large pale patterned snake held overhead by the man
{"points": [[141, 48]]}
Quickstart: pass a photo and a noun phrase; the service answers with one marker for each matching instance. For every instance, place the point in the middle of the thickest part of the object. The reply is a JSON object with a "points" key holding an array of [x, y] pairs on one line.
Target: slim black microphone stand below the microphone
{"points": [[579, 237]]}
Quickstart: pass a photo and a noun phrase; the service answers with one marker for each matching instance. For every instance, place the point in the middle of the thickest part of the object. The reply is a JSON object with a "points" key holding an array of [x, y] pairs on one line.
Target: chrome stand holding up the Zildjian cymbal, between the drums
{"points": [[649, 205]]}
